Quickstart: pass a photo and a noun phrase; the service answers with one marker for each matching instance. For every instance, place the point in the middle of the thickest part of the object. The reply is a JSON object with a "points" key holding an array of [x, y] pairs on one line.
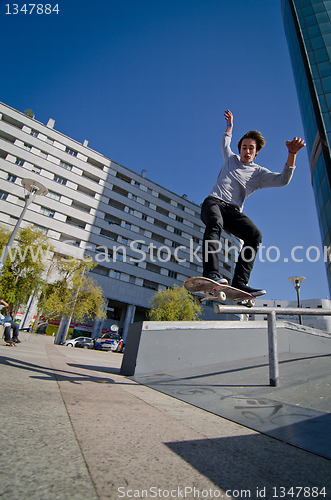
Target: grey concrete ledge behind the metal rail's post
{"points": [[154, 347]]}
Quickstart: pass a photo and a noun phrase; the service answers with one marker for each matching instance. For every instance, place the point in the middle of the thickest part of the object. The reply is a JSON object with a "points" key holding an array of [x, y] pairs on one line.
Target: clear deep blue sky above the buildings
{"points": [[146, 82]]}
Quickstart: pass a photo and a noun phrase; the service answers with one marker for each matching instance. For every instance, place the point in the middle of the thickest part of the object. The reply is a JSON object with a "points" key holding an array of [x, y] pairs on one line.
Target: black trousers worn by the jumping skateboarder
{"points": [[218, 215]]}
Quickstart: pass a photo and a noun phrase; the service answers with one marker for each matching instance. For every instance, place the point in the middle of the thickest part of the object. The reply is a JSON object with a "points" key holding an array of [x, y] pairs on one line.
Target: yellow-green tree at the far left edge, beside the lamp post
{"points": [[24, 267]]}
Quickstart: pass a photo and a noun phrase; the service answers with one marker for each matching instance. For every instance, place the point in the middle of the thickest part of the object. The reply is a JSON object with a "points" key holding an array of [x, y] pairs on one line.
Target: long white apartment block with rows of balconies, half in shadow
{"points": [[142, 236]]}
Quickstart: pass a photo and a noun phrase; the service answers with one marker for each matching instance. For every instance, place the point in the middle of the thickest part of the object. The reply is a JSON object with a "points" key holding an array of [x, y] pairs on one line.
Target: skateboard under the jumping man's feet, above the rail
{"points": [[207, 289]]}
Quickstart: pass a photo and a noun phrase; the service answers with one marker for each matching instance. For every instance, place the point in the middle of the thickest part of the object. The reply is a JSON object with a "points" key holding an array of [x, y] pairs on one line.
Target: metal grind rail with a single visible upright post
{"points": [[271, 312]]}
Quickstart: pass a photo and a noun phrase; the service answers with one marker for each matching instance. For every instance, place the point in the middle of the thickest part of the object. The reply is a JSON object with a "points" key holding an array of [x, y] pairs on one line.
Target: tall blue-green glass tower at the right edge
{"points": [[308, 31]]}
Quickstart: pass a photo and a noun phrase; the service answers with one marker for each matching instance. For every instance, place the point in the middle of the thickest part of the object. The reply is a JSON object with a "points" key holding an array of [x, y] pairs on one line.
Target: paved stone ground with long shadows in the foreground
{"points": [[72, 428]]}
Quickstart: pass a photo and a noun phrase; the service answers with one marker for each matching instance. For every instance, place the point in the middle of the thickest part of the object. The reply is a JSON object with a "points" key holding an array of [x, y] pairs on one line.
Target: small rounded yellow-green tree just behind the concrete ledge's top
{"points": [[174, 304]]}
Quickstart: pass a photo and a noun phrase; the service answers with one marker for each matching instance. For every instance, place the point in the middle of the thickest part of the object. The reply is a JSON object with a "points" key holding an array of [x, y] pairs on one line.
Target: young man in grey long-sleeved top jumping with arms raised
{"points": [[239, 177]]}
